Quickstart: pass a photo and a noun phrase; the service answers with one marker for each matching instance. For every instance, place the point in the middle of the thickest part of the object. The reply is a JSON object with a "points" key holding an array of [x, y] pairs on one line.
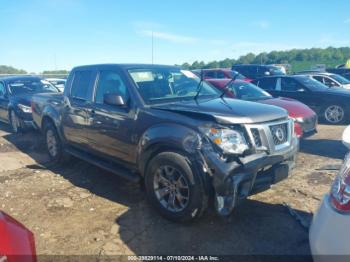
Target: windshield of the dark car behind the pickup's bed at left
{"points": [[22, 87]]}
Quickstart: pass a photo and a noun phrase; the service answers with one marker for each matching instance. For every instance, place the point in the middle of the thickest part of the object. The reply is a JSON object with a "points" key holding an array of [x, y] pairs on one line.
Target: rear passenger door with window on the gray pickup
{"points": [[77, 105]]}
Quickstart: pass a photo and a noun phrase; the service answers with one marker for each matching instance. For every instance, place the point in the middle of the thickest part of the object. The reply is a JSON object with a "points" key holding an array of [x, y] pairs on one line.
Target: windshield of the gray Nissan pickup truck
{"points": [[160, 85]]}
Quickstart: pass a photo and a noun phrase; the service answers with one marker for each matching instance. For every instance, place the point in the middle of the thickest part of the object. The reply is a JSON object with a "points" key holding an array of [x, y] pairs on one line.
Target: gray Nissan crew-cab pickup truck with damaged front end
{"points": [[166, 128]]}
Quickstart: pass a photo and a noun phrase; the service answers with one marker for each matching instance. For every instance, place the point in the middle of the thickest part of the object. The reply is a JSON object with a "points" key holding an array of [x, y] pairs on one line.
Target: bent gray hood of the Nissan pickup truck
{"points": [[228, 111]]}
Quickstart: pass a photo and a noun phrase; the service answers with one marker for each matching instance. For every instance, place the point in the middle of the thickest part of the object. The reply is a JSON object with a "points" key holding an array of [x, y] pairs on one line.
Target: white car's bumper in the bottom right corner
{"points": [[328, 236]]}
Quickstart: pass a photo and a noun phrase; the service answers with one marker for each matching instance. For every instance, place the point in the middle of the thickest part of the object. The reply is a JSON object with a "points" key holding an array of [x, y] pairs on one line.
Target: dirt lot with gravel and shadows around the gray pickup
{"points": [[81, 209]]}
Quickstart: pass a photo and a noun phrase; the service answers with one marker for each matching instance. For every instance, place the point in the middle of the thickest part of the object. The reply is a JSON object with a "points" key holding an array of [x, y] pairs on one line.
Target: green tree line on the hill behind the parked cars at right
{"points": [[298, 59]]}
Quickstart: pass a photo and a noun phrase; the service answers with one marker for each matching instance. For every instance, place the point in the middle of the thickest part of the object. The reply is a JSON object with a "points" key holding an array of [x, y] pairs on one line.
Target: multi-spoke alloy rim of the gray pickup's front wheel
{"points": [[171, 188]]}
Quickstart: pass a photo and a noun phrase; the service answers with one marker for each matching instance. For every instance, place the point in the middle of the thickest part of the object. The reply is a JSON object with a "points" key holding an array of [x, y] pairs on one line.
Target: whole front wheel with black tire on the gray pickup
{"points": [[175, 188]]}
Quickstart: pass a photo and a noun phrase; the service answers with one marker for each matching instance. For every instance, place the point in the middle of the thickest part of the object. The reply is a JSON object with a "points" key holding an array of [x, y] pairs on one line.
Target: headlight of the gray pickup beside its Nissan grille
{"points": [[230, 141]]}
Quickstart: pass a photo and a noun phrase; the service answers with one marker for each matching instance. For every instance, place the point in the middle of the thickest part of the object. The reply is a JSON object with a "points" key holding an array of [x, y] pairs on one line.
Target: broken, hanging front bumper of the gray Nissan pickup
{"points": [[234, 181]]}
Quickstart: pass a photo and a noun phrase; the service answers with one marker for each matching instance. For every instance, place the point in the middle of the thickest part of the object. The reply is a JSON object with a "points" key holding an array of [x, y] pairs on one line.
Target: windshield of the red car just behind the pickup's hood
{"points": [[248, 91]]}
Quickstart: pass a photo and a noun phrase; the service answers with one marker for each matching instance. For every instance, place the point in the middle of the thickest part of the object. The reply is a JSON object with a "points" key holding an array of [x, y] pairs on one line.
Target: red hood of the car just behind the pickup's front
{"points": [[295, 108]]}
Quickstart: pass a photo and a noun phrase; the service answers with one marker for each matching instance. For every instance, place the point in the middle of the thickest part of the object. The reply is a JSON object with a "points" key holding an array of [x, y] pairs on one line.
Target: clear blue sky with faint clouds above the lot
{"points": [[39, 35]]}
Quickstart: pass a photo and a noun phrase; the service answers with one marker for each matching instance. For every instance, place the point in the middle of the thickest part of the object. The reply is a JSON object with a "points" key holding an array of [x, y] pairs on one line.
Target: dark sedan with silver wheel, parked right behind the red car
{"points": [[331, 104]]}
